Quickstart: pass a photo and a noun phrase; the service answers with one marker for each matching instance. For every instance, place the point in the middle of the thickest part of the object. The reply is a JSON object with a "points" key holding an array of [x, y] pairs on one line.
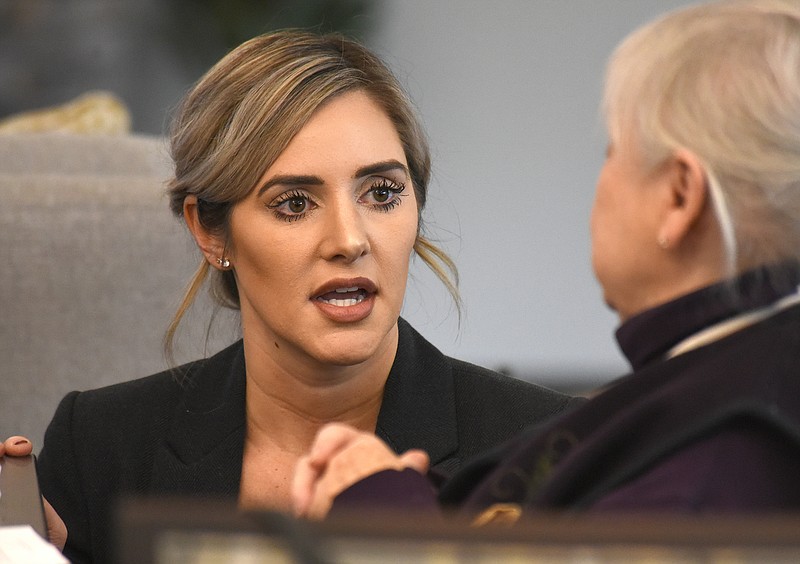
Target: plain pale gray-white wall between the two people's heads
{"points": [[509, 93]]}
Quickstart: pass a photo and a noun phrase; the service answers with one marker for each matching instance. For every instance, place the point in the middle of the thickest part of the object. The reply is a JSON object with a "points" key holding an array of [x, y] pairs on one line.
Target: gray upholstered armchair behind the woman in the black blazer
{"points": [[92, 266]]}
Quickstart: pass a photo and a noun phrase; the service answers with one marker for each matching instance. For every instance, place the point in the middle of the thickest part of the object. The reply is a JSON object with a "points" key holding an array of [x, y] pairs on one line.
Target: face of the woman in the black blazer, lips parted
{"points": [[321, 247]]}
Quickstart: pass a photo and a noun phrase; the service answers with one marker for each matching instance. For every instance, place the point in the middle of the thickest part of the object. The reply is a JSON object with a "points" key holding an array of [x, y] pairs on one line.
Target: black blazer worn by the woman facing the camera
{"points": [[158, 436]]}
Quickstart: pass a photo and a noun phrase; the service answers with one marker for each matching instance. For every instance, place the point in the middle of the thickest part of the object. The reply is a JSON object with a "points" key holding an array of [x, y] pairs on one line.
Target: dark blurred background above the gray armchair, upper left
{"points": [[148, 52]]}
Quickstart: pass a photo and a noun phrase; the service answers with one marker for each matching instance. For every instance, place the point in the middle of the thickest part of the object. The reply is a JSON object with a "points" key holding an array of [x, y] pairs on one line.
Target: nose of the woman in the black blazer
{"points": [[346, 237]]}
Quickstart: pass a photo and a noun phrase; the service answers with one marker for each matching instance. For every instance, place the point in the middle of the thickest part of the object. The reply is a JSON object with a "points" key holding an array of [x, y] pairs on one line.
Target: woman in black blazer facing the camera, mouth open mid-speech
{"points": [[302, 172]]}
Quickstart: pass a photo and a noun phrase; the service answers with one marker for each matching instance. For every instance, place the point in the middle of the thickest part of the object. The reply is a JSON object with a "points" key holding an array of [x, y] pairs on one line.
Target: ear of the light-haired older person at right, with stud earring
{"points": [[688, 197]]}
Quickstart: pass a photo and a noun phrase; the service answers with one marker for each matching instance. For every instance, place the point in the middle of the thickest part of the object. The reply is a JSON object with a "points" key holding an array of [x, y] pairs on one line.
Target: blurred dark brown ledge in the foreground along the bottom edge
{"points": [[195, 530]]}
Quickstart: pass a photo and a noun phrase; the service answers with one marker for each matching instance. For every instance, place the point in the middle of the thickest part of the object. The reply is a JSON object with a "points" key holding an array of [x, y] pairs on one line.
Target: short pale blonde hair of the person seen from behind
{"points": [[722, 80]]}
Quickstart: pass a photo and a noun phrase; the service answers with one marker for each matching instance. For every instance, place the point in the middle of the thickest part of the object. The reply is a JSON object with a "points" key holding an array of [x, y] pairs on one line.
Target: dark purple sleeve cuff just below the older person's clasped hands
{"points": [[399, 491]]}
